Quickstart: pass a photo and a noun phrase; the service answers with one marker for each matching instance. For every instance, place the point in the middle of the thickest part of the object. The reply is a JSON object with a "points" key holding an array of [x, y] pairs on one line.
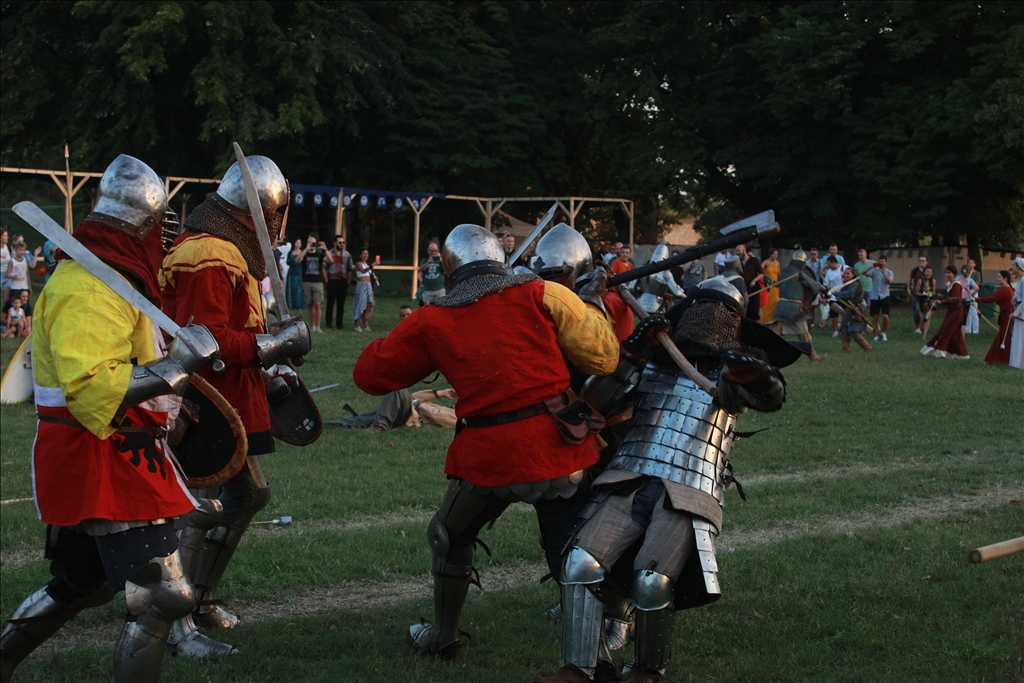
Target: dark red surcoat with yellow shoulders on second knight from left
{"points": [[206, 279]]}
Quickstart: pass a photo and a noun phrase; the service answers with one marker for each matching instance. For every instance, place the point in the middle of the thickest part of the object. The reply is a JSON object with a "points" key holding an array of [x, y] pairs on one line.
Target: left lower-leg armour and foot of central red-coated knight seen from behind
{"points": [[451, 586]]}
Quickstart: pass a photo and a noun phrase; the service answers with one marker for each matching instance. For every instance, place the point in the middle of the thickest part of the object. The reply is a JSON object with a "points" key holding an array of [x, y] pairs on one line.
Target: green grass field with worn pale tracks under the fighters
{"points": [[848, 562]]}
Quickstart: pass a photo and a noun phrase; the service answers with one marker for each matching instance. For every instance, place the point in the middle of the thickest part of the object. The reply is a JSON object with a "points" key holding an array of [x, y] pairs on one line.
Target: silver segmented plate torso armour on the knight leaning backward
{"points": [[677, 434]]}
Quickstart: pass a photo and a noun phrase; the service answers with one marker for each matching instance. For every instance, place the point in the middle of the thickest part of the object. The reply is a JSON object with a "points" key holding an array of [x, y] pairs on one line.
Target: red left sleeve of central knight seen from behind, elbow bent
{"points": [[399, 361]]}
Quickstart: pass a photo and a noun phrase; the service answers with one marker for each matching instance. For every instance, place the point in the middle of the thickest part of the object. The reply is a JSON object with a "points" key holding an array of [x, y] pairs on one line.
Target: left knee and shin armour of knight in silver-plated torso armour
{"points": [[583, 613]]}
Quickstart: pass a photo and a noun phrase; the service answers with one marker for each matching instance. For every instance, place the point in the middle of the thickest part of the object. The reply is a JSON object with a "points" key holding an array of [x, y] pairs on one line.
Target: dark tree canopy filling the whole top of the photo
{"points": [[879, 122]]}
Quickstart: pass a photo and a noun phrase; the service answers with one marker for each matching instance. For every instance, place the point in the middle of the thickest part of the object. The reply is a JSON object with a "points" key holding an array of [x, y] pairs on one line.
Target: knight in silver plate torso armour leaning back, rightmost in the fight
{"points": [[651, 528]]}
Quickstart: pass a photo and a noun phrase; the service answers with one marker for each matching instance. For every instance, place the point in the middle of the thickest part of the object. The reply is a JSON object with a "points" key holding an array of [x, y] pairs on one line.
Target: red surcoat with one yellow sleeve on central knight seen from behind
{"points": [[504, 353]]}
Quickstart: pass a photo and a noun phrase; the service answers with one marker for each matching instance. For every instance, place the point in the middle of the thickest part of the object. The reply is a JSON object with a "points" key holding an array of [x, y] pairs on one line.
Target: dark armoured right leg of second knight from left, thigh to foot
{"points": [[224, 540]]}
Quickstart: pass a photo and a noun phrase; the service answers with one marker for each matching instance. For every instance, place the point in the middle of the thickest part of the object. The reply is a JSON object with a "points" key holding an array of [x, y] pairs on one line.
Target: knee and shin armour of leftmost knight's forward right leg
{"points": [[156, 595]]}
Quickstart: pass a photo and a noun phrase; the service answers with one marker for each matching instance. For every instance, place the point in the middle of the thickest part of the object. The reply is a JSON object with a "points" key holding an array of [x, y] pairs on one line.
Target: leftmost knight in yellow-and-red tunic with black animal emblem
{"points": [[106, 391]]}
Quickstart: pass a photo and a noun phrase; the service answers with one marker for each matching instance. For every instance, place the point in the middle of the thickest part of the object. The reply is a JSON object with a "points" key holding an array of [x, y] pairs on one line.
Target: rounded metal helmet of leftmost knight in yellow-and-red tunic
{"points": [[133, 194]]}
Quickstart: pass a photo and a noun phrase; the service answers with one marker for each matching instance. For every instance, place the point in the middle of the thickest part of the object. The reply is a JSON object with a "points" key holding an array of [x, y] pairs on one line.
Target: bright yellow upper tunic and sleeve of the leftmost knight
{"points": [[91, 337]]}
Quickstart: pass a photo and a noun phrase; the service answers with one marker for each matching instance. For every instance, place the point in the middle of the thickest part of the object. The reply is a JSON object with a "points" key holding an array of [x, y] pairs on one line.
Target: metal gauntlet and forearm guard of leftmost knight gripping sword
{"points": [[192, 347]]}
